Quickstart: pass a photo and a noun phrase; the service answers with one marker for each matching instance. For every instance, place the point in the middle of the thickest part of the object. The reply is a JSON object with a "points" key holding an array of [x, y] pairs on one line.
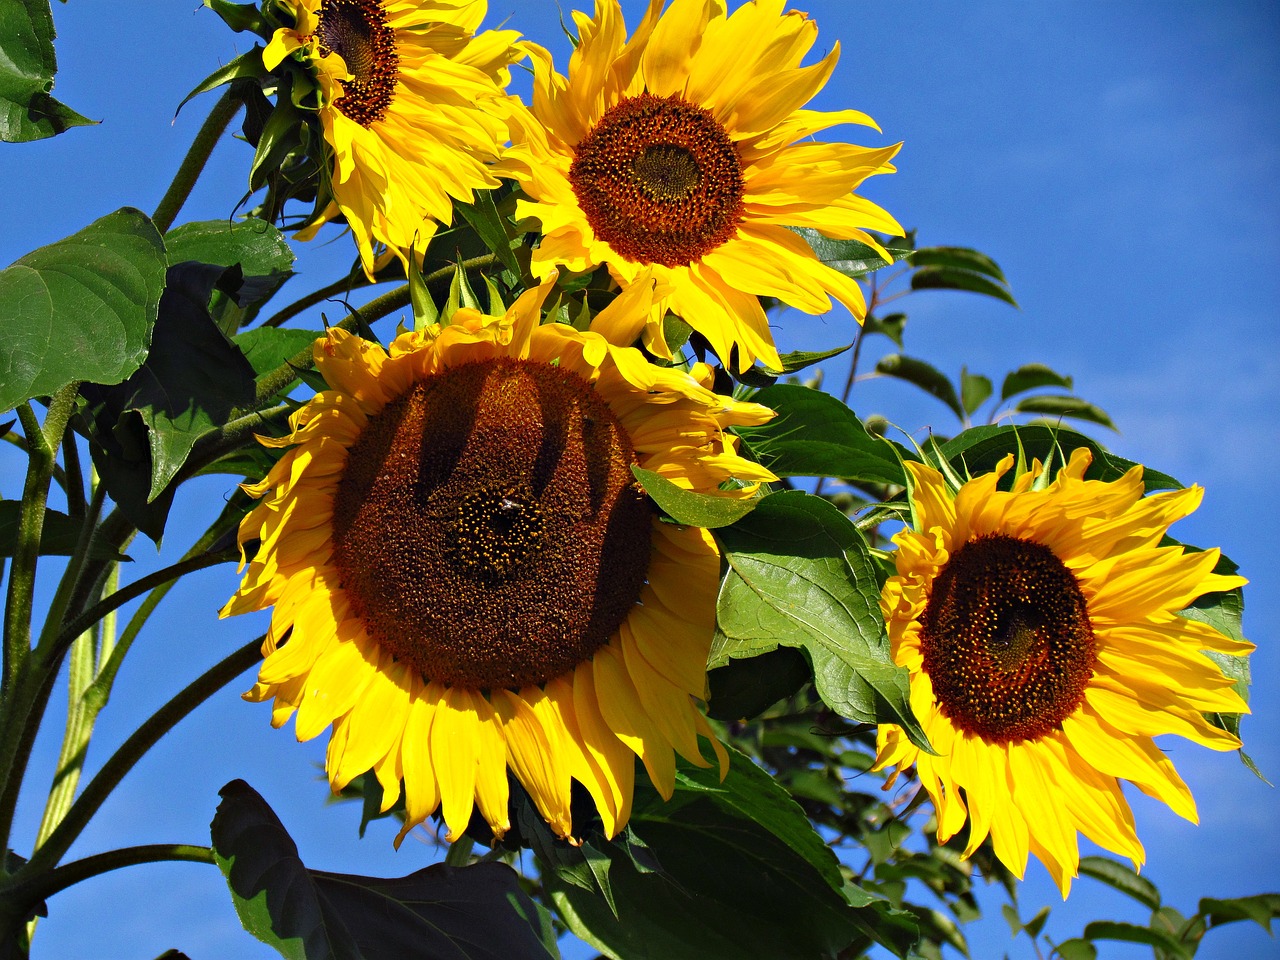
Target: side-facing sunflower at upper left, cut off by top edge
{"points": [[413, 109]]}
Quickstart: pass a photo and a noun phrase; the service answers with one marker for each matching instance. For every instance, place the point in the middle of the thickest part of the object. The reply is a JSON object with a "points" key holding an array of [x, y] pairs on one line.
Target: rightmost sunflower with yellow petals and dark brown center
{"points": [[1041, 632]]}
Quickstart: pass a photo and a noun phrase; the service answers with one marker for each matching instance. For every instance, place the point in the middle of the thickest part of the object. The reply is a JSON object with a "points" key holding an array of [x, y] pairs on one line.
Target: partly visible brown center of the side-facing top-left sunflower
{"points": [[358, 31]]}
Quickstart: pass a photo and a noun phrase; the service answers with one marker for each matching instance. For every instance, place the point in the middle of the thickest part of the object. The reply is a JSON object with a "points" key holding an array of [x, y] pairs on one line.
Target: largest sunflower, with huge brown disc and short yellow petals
{"points": [[467, 578]]}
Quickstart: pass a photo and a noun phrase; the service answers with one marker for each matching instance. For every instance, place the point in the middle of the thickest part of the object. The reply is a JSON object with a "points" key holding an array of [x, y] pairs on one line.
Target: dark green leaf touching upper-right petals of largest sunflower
{"points": [[815, 435]]}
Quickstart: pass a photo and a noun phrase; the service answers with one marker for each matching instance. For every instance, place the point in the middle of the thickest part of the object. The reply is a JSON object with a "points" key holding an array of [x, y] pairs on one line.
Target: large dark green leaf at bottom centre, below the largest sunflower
{"points": [[743, 875]]}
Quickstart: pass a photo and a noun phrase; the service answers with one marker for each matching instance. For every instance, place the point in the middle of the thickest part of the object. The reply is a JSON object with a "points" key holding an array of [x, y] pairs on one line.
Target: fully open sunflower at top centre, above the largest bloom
{"points": [[676, 153]]}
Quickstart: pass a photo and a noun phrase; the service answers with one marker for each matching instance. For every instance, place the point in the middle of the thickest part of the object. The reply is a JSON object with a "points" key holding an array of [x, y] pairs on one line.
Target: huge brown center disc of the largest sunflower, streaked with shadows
{"points": [[488, 528]]}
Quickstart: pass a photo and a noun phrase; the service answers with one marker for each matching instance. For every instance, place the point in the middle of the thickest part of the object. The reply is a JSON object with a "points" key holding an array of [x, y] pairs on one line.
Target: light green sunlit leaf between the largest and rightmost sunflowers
{"points": [[801, 575]]}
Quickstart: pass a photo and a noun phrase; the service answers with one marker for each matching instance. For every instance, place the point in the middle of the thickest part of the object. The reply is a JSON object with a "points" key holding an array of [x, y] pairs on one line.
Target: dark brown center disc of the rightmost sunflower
{"points": [[1007, 641]]}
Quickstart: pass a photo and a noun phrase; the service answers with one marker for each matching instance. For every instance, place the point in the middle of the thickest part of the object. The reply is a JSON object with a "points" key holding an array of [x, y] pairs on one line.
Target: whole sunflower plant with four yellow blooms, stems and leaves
{"points": [[572, 568]]}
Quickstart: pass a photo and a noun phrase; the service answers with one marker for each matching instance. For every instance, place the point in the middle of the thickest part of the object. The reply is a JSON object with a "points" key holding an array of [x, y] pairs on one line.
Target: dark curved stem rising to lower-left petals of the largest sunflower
{"points": [[147, 737]]}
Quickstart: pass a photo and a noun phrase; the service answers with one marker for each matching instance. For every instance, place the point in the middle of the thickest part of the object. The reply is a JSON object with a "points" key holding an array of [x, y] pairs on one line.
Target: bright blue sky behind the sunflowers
{"points": [[1118, 159]]}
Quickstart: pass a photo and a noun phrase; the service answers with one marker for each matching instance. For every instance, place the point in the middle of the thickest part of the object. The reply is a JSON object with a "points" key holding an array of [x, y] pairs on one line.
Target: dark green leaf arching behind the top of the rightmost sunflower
{"points": [[981, 449]]}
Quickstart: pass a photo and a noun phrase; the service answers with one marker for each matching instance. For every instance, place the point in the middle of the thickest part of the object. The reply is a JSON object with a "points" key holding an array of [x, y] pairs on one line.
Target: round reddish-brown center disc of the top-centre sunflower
{"points": [[660, 181]]}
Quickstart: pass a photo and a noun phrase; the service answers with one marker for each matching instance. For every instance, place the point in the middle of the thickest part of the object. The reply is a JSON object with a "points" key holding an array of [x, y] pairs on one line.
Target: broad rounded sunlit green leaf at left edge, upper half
{"points": [[81, 309]]}
